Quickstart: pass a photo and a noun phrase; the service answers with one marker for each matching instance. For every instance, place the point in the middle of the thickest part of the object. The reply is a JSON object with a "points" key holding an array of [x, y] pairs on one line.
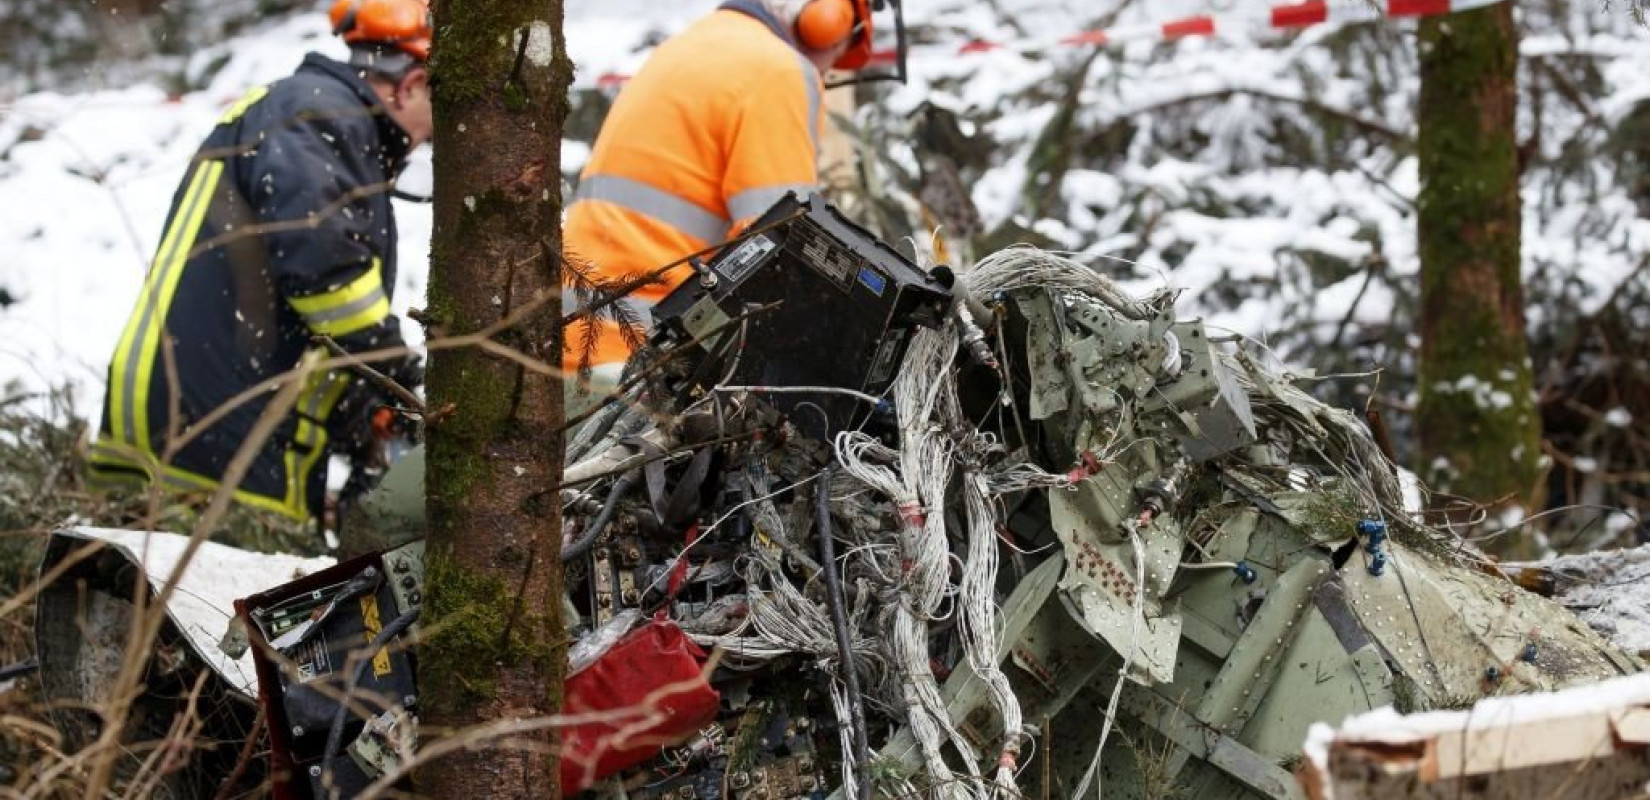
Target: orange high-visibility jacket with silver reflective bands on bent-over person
{"points": [[720, 123]]}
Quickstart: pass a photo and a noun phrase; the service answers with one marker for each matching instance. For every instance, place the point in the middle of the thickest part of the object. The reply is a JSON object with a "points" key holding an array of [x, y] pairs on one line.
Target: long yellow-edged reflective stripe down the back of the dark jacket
{"points": [[134, 357]]}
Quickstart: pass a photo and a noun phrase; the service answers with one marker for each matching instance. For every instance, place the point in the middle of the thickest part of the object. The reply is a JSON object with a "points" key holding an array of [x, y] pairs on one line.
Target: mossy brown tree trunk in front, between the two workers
{"points": [[496, 646]]}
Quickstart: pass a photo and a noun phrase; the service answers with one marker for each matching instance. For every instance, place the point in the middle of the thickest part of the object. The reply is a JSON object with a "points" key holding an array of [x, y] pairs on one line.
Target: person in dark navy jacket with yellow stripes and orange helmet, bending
{"points": [[281, 232]]}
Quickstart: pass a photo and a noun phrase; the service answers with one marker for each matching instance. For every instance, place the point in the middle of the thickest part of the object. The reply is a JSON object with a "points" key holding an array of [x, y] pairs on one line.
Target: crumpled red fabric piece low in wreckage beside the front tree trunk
{"points": [[656, 671]]}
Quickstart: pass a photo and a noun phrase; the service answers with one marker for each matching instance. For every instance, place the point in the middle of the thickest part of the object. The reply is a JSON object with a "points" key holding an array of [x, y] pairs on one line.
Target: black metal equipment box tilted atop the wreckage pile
{"points": [[847, 309]]}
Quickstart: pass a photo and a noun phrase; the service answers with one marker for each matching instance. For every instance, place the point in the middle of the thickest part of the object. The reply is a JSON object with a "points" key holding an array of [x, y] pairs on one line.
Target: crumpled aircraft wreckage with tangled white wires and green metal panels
{"points": [[999, 532]]}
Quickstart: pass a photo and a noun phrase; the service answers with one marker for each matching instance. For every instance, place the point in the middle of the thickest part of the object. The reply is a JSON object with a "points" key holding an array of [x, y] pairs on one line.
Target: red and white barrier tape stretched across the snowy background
{"points": [[1263, 19]]}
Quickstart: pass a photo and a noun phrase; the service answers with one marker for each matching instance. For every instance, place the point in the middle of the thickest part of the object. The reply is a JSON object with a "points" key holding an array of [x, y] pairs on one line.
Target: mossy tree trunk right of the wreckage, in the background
{"points": [[1479, 430]]}
